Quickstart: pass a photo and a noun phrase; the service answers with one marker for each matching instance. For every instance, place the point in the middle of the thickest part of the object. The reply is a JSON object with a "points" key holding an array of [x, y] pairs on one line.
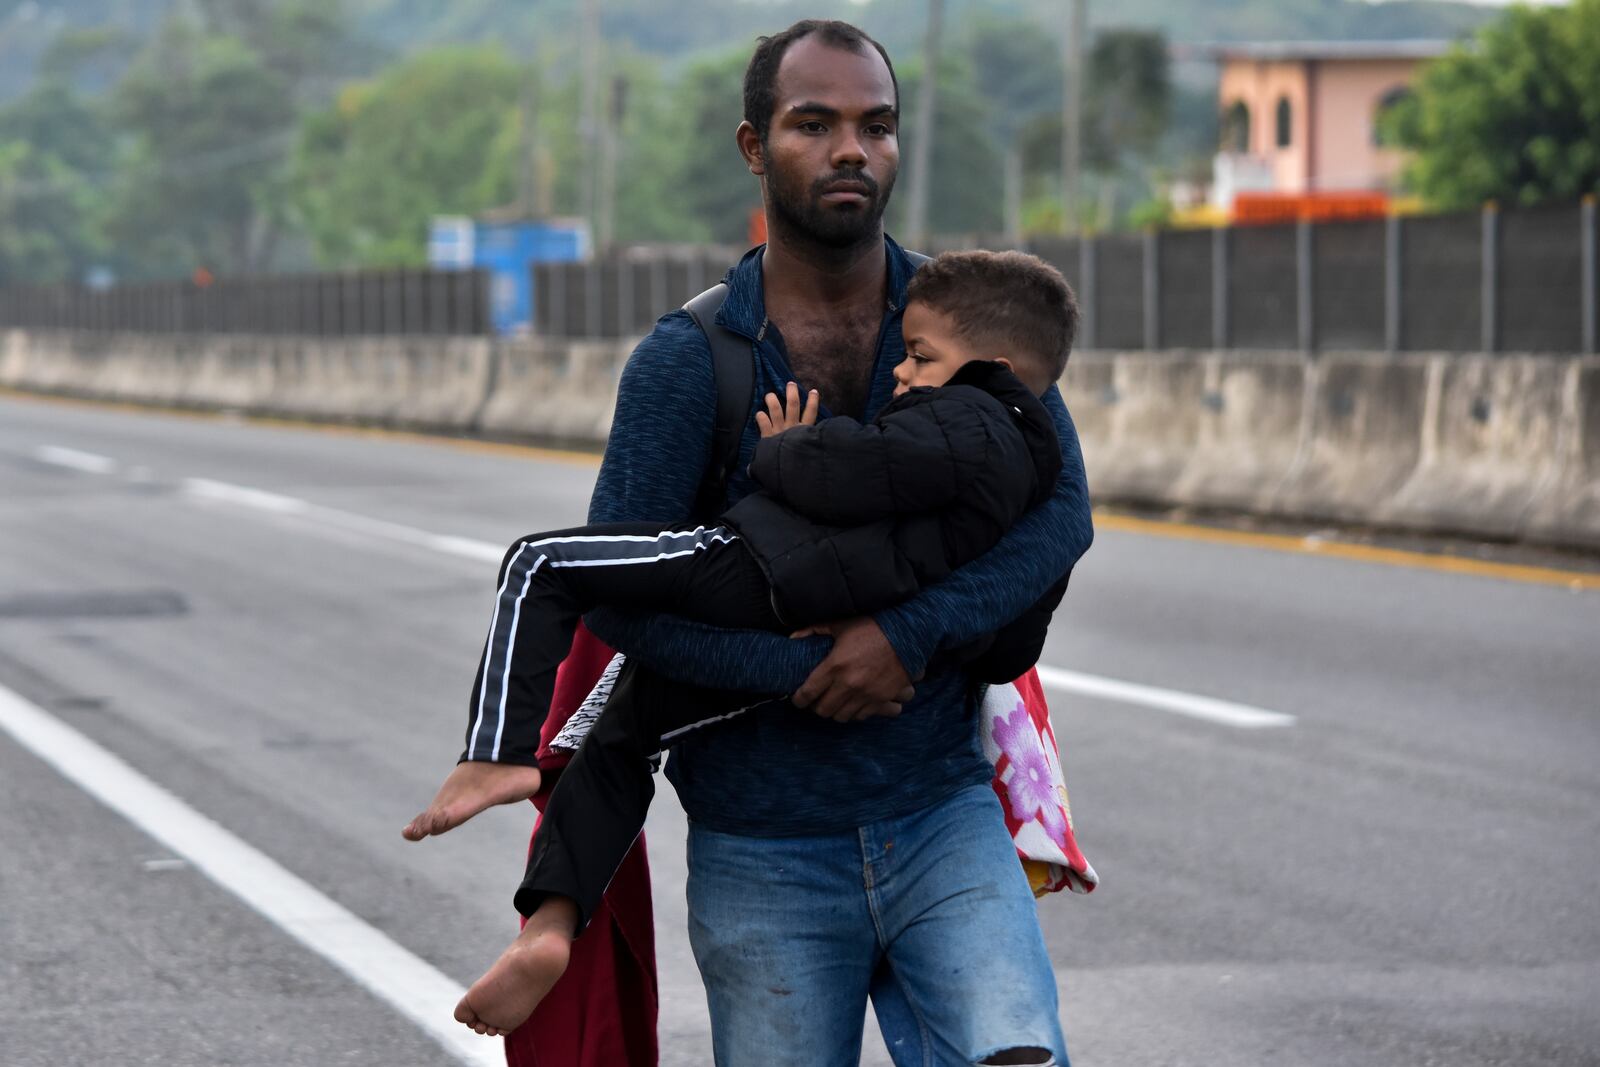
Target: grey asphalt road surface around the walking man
{"points": [[1402, 876]]}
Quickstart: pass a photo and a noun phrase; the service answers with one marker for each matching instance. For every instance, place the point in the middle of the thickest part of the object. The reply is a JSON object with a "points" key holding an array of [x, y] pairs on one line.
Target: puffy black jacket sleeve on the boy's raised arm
{"points": [[916, 460]]}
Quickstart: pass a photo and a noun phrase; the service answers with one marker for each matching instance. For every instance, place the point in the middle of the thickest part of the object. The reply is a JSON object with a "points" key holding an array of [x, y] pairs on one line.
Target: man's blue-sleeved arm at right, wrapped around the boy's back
{"points": [[996, 588]]}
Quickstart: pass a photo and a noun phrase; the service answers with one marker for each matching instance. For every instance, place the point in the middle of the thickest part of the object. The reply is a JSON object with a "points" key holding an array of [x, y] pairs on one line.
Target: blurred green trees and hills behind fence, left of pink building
{"points": [[156, 137]]}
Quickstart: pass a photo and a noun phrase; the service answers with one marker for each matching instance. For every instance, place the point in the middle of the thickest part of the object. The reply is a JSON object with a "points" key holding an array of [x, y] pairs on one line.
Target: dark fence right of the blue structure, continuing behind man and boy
{"points": [[1478, 282]]}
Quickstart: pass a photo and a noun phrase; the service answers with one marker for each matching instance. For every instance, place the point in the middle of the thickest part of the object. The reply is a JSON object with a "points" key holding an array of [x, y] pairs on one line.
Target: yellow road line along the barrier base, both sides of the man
{"points": [[1103, 519]]}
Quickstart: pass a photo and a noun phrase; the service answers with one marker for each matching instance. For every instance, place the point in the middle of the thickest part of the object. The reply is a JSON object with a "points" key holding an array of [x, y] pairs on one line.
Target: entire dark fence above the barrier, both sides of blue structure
{"points": [[1481, 282]]}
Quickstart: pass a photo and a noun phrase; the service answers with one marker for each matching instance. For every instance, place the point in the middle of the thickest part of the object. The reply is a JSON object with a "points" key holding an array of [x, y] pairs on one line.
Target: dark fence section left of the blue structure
{"points": [[319, 305]]}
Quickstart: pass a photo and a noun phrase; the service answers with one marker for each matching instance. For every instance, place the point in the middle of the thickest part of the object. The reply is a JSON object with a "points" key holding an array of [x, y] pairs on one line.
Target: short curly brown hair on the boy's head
{"points": [[1007, 305]]}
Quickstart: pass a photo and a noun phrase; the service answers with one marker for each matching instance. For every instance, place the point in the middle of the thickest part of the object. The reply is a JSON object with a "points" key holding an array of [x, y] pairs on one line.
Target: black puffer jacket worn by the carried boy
{"points": [[855, 519]]}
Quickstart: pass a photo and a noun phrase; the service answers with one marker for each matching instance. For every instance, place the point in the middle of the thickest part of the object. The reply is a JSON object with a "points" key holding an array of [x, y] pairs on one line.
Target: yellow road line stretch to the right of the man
{"points": [[1348, 551]]}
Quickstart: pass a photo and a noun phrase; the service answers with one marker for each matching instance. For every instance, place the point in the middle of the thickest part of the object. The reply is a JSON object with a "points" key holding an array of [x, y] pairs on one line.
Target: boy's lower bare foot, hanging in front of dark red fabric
{"points": [[513, 988]]}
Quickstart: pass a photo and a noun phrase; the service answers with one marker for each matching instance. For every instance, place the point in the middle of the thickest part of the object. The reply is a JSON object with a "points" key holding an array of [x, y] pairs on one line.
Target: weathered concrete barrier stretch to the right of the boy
{"points": [[1503, 447]]}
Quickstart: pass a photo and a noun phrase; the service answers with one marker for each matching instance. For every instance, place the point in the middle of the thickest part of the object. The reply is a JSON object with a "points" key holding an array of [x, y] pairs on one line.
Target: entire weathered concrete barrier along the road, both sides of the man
{"points": [[1500, 447]]}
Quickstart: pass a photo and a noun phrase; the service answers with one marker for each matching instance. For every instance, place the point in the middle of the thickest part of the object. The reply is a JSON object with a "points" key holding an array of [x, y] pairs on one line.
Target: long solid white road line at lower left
{"points": [[406, 983]]}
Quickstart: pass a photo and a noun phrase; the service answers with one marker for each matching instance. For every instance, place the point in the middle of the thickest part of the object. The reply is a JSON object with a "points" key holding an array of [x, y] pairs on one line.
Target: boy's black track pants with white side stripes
{"points": [[546, 583]]}
